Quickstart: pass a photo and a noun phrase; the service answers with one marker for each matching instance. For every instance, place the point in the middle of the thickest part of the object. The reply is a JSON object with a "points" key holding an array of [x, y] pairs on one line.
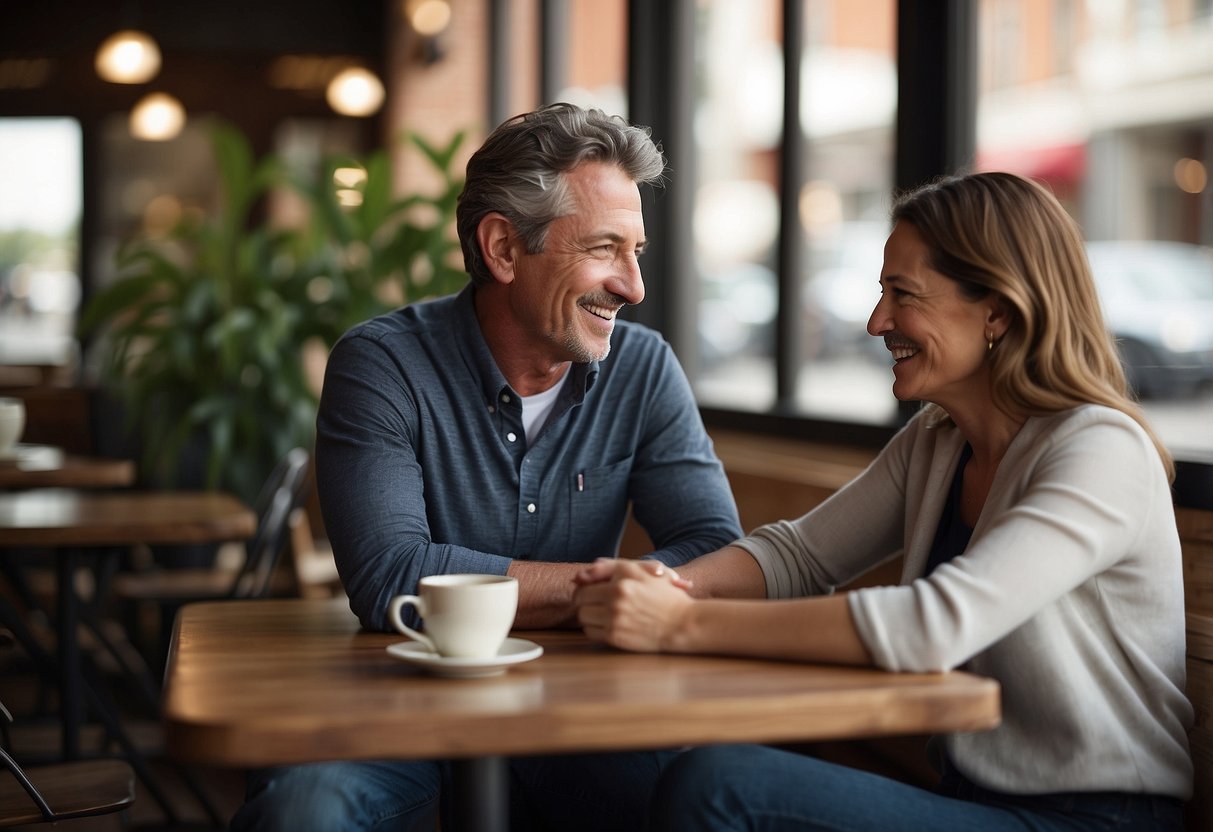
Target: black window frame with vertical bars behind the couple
{"points": [[936, 134]]}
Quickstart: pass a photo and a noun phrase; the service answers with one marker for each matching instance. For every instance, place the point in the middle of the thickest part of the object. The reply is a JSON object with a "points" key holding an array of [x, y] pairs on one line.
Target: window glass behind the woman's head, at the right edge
{"points": [[1103, 112]]}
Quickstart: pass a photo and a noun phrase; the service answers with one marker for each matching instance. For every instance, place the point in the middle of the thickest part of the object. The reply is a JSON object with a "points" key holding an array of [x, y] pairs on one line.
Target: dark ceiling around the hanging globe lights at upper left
{"points": [[217, 55]]}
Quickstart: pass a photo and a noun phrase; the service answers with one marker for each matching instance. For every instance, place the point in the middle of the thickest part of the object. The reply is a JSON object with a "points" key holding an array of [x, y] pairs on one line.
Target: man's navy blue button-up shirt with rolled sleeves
{"points": [[424, 469]]}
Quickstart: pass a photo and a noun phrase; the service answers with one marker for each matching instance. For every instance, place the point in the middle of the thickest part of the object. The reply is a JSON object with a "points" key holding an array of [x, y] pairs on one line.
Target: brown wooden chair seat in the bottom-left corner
{"points": [[72, 790]]}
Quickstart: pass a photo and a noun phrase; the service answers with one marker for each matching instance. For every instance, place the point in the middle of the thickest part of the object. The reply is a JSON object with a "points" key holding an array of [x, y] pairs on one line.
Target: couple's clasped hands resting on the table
{"points": [[631, 605]]}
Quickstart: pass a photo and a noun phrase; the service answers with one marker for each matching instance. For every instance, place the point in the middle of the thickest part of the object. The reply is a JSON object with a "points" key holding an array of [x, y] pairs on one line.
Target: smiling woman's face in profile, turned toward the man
{"points": [[937, 337]]}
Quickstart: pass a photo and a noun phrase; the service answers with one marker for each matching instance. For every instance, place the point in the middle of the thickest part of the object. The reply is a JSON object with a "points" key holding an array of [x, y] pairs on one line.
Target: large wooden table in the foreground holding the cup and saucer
{"points": [[272, 682]]}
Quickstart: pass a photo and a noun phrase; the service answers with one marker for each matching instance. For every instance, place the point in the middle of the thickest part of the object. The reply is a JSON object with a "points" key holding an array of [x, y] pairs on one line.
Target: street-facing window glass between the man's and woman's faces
{"points": [[847, 106]]}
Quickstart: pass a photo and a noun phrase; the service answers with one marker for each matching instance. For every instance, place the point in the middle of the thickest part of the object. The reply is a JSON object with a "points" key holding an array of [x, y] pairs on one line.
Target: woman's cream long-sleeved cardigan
{"points": [[1070, 595]]}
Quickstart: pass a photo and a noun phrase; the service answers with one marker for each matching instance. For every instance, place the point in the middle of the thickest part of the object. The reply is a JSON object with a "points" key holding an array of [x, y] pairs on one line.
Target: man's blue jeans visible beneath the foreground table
{"points": [[593, 793]]}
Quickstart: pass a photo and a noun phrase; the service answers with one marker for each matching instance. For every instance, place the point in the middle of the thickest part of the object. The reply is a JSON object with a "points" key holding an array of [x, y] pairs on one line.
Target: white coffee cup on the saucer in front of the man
{"points": [[468, 617]]}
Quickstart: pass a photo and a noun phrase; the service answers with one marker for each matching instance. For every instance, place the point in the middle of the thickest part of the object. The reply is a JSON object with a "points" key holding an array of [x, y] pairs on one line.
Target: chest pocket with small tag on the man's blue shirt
{"points": [[597, 510]]}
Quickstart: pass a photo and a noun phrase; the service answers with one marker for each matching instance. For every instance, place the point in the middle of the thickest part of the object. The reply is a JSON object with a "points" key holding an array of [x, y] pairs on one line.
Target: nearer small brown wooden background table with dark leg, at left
{"points": [[69, 521]]}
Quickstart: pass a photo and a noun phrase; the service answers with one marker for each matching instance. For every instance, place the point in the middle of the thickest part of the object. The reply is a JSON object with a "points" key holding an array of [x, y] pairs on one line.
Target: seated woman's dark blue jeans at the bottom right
{"points": [[754, 788]]}
